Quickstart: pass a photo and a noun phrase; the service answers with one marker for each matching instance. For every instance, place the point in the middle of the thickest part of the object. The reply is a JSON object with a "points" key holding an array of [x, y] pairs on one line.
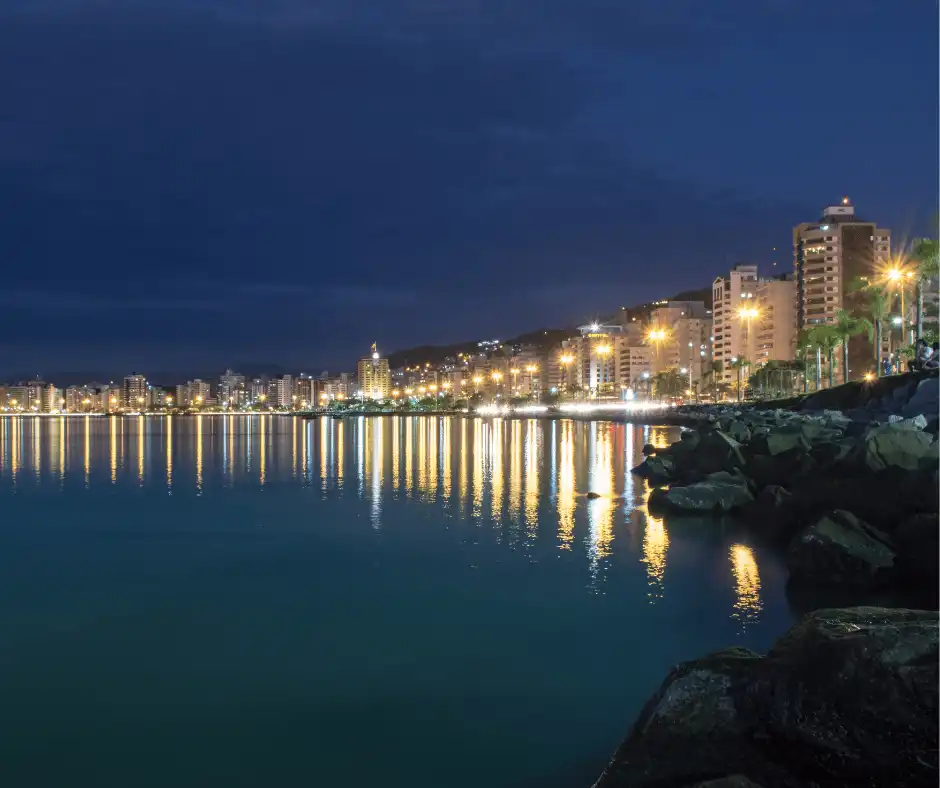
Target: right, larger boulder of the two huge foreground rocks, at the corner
{"points": [[848, 697]]}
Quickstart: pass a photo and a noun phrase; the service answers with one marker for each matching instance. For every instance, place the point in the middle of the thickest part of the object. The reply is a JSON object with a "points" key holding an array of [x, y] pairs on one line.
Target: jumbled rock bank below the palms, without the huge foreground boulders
{"points": [[851, 494]]}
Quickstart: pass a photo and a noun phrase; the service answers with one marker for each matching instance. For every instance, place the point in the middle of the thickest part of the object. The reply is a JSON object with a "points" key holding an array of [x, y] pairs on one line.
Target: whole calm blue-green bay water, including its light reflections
{"points": [[263, 601]]}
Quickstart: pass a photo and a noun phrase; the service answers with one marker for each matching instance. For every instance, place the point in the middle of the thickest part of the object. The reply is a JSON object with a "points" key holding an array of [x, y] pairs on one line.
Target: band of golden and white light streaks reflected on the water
{"points": [[462, 469]]}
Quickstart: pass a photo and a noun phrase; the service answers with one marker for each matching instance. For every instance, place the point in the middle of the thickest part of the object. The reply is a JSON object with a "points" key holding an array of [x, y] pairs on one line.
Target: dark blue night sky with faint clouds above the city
{"points": [[189, 184]]}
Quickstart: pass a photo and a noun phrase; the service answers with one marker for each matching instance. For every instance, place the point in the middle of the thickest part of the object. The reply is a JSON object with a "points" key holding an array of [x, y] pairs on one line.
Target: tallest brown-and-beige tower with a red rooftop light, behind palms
{"points": [[829, 255]]}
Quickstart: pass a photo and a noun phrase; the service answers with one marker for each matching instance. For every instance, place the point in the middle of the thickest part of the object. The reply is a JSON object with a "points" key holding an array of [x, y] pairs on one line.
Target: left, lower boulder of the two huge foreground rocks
{"points": [[691, 729]]}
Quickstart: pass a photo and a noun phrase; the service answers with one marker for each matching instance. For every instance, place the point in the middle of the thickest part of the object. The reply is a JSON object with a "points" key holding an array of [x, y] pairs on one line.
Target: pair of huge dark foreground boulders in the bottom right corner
{"points": [[846, 699]]}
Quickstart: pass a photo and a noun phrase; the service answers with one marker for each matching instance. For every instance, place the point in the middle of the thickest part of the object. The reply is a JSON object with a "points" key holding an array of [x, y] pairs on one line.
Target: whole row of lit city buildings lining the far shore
{"points": [[752, 320]]}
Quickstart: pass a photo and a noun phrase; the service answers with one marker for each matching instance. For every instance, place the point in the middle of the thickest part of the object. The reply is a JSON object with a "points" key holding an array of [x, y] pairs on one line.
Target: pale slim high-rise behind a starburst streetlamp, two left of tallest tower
{"points": [[734, 307]]}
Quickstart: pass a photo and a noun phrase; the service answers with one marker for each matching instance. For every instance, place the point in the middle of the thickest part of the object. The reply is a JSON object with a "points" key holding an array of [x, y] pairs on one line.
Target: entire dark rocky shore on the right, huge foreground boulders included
{"points": [[846, 481]]}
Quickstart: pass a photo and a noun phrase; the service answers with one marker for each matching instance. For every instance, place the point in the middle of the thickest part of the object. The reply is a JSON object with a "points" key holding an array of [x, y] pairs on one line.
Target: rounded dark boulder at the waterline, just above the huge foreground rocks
{"points": [[840, 549]]}
